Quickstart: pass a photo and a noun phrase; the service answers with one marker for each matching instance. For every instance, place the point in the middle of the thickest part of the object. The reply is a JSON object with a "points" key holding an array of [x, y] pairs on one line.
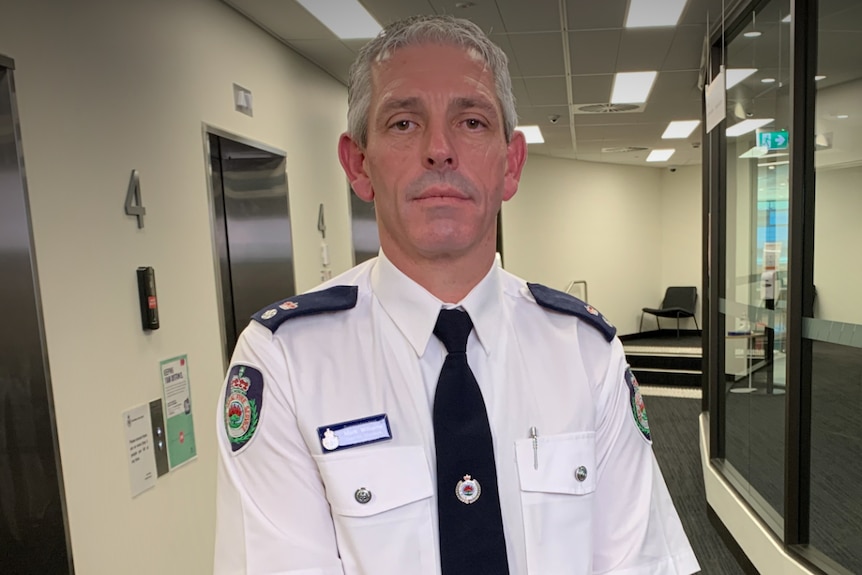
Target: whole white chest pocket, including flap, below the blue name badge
{"points": [[381, 501]]}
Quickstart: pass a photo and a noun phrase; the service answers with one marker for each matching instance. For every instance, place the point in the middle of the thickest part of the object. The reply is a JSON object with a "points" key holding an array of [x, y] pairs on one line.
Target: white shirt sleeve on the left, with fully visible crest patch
{"points": [[272, 516]]}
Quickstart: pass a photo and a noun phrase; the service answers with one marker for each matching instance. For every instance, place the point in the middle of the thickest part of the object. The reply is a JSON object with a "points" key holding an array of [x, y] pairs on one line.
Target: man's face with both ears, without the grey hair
{"points": [[436, 163]]}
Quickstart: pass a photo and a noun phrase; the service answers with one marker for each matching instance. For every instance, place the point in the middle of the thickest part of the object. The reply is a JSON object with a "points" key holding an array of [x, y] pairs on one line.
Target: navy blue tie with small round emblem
{"points": [[468, 501]]}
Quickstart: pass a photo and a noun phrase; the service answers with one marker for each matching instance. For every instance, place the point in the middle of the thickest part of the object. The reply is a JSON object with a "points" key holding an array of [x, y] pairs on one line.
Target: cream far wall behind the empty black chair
{"points": [[601, 223]]}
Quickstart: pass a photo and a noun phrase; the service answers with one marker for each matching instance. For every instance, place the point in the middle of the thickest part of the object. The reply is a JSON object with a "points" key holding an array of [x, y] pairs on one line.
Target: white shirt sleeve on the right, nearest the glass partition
{"points": [[637, 529]]}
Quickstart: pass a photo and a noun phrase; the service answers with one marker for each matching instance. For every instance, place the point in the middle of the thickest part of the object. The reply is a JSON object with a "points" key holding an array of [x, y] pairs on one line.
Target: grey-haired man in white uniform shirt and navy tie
{"points": [[358, 435]]}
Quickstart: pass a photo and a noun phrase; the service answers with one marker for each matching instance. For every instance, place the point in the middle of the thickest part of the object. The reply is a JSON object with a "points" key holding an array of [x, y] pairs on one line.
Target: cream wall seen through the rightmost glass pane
{"points": [[838, 237]]}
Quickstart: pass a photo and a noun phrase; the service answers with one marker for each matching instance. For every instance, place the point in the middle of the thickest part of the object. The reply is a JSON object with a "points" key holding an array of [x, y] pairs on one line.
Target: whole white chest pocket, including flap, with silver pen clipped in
{"points": [[557, 500]]}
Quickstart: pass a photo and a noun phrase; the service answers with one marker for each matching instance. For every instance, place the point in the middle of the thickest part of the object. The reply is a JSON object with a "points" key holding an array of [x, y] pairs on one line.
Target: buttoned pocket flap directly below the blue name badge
{"points": [[365, 482]]}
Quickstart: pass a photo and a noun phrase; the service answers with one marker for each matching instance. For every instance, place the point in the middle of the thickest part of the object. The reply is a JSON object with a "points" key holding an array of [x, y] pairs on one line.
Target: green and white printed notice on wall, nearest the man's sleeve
{"points": [[179, 423]]}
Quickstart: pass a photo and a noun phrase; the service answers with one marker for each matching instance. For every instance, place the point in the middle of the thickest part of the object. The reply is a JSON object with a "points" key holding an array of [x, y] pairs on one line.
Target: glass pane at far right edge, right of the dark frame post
{"points": [[836, 326]]}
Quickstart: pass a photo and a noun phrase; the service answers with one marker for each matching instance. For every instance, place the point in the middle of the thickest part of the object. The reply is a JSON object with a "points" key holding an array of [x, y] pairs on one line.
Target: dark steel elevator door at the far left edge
{"points": [[32, 509]]}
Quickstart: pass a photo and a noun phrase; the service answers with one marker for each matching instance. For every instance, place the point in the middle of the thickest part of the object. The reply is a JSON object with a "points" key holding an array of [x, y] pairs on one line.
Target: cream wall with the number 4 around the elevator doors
{"points": [[103, 88]]}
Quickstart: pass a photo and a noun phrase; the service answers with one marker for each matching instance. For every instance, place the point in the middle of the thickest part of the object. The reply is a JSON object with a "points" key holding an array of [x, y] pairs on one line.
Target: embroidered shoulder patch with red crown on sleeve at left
{"points": [[243, 404]]}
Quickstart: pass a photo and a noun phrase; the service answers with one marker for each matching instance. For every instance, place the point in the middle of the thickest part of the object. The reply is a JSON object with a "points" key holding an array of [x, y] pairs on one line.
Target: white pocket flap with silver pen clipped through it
{"points": [[566, 463]]}
